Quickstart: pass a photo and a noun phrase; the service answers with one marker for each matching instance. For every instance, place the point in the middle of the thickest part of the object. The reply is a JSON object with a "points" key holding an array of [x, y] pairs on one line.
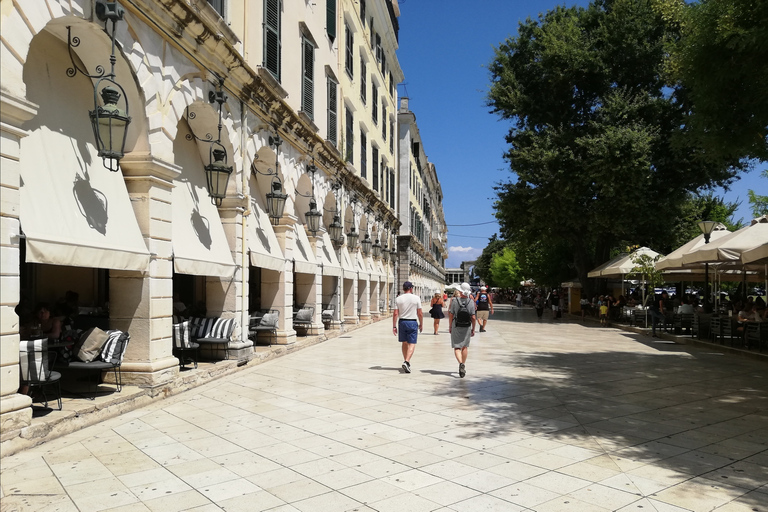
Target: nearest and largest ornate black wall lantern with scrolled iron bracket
{"points": [[108, 120]]}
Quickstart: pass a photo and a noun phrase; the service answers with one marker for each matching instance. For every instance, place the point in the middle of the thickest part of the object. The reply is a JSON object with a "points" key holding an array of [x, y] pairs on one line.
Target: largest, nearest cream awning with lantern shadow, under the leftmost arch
{"points": [[76, 217]]}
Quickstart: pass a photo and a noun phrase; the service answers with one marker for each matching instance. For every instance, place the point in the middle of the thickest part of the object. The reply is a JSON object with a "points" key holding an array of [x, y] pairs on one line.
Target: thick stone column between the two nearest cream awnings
{"points": [[141, 303]]}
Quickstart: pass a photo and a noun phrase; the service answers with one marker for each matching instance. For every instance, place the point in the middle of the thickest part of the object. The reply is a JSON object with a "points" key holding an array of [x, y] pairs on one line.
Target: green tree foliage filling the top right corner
{"points": [[721, 57]]}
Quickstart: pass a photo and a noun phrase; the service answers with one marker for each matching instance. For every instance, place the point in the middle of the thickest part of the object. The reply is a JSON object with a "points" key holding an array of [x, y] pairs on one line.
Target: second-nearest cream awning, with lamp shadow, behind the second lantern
{"points": [[200, 246]]}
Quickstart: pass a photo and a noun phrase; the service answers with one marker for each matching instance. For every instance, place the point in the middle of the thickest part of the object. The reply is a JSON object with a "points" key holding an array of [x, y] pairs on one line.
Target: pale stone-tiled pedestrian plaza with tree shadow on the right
{"points": [[551, 416]]}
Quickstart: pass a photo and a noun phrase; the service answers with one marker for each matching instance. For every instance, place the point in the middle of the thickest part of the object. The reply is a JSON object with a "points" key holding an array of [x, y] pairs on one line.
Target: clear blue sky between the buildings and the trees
{"points": [[444, 52]]}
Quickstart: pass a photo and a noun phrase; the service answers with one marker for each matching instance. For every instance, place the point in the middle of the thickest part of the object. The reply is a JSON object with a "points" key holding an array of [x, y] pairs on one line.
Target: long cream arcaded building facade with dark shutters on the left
{"points": [[292, 101]]}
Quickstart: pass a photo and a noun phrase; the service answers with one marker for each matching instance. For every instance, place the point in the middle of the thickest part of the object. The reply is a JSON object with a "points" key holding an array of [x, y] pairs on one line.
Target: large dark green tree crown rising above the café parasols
{"points": [[593, 119]]}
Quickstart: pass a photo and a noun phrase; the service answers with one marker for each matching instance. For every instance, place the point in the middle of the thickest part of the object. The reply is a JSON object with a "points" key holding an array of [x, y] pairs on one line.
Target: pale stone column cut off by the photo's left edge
{"points": [[15, 409]]}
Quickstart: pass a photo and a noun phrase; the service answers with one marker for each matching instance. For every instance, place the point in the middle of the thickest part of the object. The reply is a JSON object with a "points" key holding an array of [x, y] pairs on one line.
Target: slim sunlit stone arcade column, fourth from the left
{"points": [[283, 301]]}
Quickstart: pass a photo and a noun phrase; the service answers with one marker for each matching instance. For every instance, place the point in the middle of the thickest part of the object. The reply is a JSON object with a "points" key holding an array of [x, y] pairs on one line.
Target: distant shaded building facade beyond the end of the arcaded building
{"points": [[422, 237]]}
